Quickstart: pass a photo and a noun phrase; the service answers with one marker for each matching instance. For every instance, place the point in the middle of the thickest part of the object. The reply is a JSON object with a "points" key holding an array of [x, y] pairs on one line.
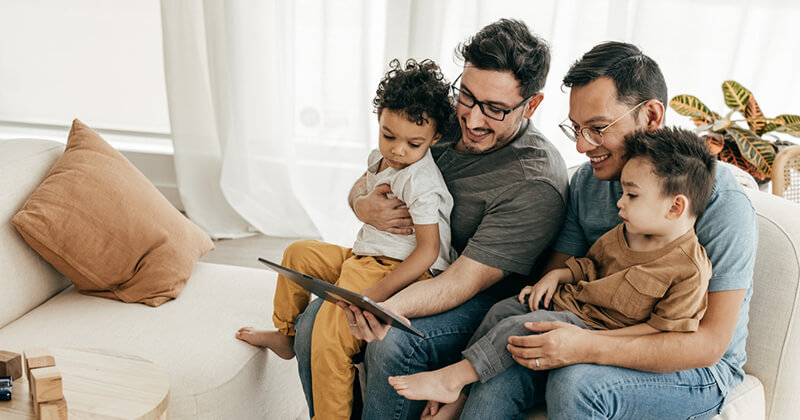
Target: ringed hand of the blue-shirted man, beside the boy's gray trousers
{"points": [[557, 344]]}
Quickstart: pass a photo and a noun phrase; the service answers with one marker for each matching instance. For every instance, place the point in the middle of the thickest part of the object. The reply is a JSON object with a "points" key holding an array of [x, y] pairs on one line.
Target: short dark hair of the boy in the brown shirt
{"points": [[680, 159]]}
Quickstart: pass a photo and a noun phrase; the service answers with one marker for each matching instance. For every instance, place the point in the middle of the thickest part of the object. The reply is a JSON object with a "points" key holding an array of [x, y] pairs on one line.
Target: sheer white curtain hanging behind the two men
{"points": [[270, 101]]}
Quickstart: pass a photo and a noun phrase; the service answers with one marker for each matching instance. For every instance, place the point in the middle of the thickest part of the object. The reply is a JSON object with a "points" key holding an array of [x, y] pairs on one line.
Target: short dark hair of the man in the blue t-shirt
{"points": [[636, 76]]}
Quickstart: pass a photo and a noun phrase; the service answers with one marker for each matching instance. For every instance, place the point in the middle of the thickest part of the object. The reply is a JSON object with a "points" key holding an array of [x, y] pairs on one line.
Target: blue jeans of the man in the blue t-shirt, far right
{"points": [[589, 391]]}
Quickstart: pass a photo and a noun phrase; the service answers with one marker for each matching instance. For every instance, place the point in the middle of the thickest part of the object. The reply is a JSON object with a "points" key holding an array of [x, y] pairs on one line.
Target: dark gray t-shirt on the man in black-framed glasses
{"points": [[508, 204]]}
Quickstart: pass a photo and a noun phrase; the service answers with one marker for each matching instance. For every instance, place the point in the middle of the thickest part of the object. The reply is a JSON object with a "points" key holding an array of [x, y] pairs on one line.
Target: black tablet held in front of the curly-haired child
{"points": [[333, 293]]}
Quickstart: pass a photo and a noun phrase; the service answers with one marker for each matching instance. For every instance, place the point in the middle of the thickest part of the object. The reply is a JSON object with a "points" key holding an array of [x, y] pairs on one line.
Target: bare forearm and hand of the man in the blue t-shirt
{"points": [[560, 344]]}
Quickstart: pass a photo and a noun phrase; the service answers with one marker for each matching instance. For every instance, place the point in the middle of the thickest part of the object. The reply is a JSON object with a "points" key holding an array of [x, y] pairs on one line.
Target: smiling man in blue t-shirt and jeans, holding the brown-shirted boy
{"points": [[615, 90]]}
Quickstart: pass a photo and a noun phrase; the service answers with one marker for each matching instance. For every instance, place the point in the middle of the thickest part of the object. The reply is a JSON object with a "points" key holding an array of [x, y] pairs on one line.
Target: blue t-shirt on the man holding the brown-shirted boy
{"points": [[727, 230]]}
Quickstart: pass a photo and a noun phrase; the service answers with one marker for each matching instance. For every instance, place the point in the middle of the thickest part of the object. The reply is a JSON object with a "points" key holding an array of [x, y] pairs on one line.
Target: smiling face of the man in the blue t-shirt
{"points": [[596, 105]]}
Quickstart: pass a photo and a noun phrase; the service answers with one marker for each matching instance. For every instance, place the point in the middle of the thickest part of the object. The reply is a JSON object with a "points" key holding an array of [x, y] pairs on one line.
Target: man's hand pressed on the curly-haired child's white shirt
{"points": [[384, 213]]}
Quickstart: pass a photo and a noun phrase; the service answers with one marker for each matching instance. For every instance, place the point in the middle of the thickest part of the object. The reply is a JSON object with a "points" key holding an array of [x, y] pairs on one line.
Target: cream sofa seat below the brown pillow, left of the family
{"points": [[211, 373]]}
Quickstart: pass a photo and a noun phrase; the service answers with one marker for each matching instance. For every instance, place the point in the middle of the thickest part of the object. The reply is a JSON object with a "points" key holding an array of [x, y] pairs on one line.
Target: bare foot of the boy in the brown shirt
{"points": [[443, 385]]}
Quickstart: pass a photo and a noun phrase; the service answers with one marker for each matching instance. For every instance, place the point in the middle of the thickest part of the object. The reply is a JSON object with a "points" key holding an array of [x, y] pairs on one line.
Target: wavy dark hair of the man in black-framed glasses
{"points": [[508, 45]]}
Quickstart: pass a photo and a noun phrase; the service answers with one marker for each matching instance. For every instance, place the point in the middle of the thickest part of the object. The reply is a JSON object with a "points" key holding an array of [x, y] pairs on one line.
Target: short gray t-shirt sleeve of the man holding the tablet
{"points": [[521, 223]]}
